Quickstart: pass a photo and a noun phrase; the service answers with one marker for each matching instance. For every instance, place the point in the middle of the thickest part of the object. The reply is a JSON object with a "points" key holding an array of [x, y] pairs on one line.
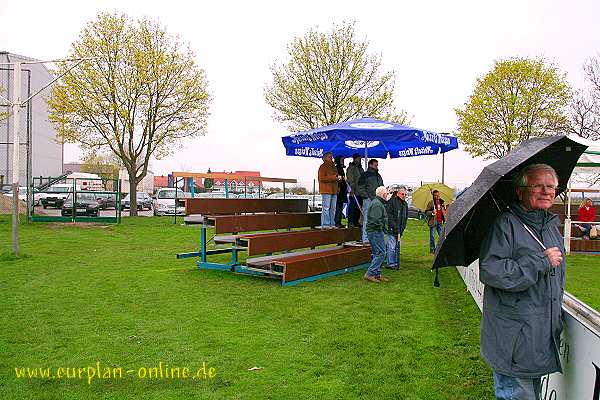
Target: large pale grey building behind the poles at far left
{"points": [[46, 158]]}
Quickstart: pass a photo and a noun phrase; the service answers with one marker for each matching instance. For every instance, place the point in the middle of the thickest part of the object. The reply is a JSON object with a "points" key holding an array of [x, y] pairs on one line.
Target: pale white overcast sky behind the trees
{"points": [[438, 49]]}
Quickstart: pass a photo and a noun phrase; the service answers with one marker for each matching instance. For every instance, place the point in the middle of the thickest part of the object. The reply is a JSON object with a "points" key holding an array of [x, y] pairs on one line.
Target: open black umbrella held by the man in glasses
{"points": [[473, 213]]}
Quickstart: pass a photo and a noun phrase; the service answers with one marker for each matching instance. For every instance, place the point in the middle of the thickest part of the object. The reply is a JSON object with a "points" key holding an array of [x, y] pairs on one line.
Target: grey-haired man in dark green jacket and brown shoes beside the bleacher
{"points": [[376, 226]]}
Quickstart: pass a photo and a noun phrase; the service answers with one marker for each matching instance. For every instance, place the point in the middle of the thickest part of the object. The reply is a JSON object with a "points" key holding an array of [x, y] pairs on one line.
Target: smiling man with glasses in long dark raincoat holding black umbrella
{"points": [[523, 269]]}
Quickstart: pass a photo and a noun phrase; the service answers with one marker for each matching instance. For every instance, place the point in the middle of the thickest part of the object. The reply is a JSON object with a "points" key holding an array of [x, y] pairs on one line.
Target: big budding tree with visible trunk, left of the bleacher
{"points": [[139, 93]]}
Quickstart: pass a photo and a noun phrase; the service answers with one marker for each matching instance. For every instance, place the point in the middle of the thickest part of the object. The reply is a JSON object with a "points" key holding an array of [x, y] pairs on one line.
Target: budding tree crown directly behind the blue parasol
{"points": [[329, 78]]}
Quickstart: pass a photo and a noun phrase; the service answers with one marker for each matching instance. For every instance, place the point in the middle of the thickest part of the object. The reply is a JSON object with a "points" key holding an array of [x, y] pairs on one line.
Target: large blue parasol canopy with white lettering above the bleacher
{"points": [[371, 137]]}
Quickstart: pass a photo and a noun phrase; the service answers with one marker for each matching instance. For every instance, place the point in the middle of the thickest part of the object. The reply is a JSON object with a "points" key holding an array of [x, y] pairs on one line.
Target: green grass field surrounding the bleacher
{"points": [[116, 295]]}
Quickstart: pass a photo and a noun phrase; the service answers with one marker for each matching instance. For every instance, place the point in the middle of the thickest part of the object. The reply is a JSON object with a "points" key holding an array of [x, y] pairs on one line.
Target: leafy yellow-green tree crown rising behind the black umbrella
{"points": [[518, 99]]}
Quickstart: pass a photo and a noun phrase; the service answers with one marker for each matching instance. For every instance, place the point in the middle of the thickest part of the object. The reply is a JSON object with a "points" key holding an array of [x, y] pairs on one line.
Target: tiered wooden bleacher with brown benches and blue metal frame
{"points": [[301, 259]]}
